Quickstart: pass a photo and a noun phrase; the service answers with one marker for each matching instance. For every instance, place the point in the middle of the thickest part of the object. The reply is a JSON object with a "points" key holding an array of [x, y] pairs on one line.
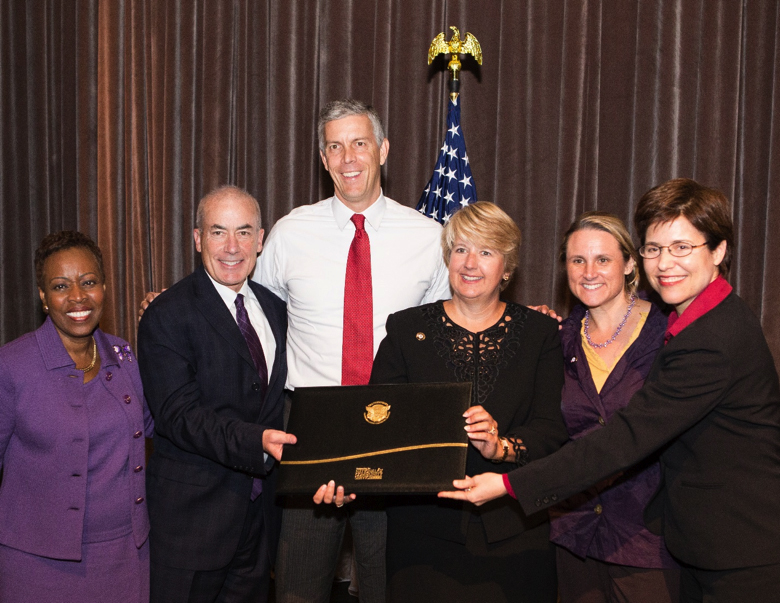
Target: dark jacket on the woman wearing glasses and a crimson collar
{"points": [[712, 403]]}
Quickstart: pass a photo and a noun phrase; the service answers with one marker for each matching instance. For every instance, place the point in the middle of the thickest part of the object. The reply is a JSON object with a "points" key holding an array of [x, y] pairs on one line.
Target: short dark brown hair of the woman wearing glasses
{"points": [[707, 209]]}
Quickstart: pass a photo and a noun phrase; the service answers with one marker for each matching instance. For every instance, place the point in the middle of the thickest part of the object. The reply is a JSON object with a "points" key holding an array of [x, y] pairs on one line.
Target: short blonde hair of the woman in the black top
{"points": [[484, 223]]}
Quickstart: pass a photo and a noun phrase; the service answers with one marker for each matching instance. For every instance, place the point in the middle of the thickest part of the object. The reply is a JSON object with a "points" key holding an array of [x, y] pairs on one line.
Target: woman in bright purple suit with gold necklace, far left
{"points": [[73, 519]]}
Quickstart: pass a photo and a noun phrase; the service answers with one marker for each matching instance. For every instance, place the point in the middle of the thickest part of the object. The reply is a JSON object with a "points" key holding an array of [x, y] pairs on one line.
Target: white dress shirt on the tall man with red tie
{"points": [[304, 262]]}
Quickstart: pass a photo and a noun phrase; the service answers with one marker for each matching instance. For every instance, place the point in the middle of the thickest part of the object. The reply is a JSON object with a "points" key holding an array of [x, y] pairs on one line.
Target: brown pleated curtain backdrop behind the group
{"points": [[116, 116]]}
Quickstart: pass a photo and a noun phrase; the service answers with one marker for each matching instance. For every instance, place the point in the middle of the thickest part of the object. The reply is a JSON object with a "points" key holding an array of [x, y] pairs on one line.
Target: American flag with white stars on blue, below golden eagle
{"points": [[451, 186]]}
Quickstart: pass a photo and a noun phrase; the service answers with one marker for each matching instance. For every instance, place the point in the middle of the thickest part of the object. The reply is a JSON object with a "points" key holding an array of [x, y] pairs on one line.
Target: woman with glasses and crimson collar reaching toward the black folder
{"points": [[710, 405]]}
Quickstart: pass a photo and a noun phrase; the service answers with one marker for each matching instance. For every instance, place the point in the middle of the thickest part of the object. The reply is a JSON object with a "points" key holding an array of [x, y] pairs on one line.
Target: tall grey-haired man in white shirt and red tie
{"points": [[305, 262]]}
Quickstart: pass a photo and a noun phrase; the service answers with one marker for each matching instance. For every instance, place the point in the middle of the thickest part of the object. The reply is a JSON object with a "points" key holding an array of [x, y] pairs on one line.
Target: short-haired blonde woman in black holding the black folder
{"points": [[444, 551]]}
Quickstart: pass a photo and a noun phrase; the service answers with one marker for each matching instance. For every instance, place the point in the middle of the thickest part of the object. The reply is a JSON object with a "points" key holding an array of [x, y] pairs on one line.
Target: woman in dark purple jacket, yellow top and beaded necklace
{"points": [[609, 342]]}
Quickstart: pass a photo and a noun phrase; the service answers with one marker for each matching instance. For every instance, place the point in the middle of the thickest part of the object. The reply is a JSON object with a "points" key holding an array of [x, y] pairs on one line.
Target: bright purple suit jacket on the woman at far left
{"points": [[44, 441]]}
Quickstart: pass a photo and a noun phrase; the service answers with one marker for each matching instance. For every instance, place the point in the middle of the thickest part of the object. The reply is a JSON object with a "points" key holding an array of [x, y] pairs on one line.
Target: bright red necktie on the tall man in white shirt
{"points": [[357, 350]]}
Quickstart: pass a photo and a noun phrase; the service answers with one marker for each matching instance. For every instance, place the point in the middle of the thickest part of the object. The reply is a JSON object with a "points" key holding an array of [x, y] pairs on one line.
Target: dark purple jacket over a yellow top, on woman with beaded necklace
{"points": [[606, 523]]}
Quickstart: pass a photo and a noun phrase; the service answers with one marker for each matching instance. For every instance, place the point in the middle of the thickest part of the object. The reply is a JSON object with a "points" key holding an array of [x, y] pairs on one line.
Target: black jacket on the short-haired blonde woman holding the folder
{"points": [[519, 385]]}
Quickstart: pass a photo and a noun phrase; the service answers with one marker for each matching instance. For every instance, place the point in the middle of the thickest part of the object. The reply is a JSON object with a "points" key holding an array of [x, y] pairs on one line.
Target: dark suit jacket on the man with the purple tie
{"points": [[203, 390]]}
